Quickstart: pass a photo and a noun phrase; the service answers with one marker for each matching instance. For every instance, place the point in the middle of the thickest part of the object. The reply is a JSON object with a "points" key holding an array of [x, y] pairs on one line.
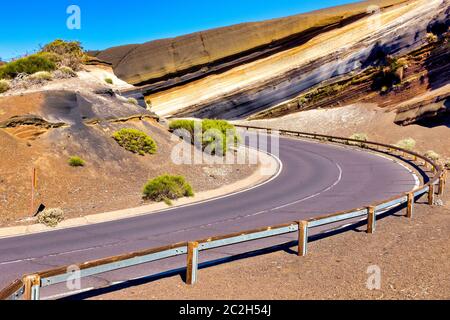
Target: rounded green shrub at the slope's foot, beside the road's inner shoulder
{"points": [[166, 188]]}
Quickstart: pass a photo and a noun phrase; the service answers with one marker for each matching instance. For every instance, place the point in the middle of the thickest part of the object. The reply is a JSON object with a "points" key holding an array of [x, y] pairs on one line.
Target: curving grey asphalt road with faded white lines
{"points": [[315, 179]]}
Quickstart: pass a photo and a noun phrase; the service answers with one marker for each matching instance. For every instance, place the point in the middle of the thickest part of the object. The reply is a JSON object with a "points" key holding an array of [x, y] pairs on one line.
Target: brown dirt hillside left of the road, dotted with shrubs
{"points": [[112, 179]]}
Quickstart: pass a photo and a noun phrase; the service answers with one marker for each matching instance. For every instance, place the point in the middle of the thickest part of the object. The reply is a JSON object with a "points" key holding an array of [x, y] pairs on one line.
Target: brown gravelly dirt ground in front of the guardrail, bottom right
{"points": [[412, 255]]}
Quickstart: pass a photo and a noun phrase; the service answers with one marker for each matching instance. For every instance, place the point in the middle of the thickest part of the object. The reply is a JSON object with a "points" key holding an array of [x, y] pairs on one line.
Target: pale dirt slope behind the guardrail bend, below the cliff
{"points": [[377, 123]]}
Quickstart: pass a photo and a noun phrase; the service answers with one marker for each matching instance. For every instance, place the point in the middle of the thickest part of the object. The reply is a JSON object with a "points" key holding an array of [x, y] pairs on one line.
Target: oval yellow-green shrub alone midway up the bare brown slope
{"points": [[135, 141]]}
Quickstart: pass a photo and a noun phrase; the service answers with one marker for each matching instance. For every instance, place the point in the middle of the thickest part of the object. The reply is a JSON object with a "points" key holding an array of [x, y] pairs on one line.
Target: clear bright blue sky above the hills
{"points": [[106, 23]]}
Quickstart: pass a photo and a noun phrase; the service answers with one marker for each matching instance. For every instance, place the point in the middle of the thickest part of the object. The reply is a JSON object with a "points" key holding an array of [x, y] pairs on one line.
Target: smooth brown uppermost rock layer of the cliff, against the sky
{"points": [[190, 56]]}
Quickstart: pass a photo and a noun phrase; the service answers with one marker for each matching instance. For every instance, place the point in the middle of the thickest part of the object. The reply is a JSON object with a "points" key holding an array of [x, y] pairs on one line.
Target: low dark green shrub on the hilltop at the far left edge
{"points": [[29, 65]]}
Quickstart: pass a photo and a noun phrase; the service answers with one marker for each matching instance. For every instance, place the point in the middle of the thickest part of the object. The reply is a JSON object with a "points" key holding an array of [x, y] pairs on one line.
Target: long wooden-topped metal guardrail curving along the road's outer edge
{"points": [[28, 288]]}
